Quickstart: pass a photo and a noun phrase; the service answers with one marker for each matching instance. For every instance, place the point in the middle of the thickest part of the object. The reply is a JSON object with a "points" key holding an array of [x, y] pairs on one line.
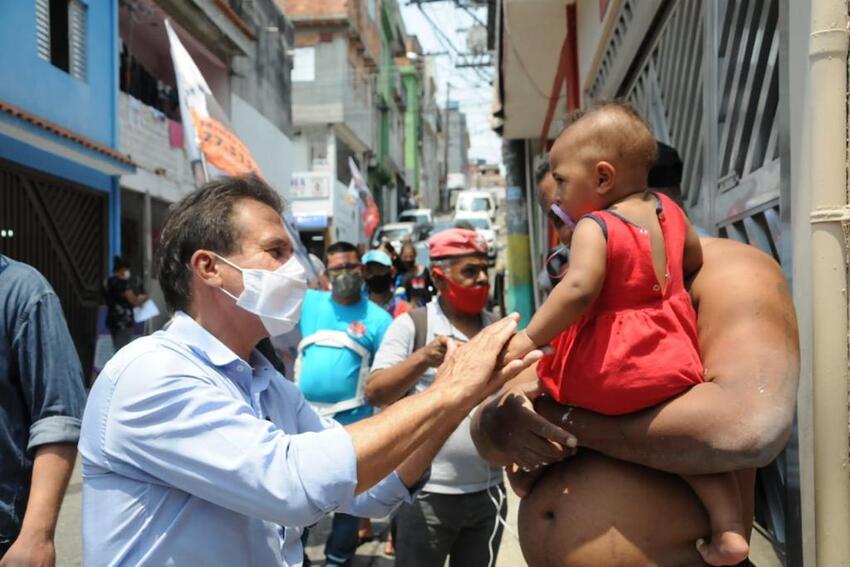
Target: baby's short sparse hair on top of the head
{"points": [[613, 126]]}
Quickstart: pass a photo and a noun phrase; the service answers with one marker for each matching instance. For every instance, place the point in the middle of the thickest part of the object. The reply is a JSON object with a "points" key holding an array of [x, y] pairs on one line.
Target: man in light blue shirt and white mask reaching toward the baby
{"points": [[196, 452]]}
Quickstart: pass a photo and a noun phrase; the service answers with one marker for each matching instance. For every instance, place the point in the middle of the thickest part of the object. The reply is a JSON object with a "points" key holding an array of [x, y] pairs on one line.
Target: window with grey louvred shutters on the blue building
{"points": [[61, 35]]}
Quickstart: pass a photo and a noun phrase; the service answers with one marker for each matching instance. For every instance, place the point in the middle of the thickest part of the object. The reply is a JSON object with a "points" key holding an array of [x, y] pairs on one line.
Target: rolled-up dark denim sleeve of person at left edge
{"points": [[50, 373]]}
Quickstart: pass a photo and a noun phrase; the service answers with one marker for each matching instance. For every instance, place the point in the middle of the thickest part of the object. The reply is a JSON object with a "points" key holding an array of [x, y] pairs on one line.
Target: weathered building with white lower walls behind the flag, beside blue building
{"points": [[241, 50]]}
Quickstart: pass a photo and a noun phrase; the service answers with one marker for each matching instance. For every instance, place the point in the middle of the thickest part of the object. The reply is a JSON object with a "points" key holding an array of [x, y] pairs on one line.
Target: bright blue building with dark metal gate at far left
{"points": [[60, 200]]}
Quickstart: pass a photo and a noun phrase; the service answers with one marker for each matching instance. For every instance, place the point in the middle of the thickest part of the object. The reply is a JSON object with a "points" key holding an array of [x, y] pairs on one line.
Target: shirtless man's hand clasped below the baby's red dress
{"points": [[516, 433]]}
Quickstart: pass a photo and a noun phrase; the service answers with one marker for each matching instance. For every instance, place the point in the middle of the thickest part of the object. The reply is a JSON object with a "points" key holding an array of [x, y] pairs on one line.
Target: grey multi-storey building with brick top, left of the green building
{"points": [[335, 74]]}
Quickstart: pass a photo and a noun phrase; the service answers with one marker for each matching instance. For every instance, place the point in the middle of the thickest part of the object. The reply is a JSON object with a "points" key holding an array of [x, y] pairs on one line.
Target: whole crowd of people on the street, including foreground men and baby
{"points": [[366, 385]]}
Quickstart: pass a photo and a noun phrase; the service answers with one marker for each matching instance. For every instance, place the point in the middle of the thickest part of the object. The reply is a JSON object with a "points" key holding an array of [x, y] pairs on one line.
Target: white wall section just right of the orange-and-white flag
{"points": [[272, 149]]}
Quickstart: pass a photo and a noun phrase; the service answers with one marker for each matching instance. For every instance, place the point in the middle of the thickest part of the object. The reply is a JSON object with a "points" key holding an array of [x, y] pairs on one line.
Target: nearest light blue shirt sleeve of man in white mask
{"points": [[190, 434]]}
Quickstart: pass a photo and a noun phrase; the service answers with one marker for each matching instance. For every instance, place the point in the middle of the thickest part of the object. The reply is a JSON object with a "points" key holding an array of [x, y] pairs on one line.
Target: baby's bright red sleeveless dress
{"points": [[636, 346]]}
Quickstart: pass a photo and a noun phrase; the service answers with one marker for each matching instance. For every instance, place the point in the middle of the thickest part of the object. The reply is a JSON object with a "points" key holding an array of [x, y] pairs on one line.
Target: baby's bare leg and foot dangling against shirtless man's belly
{"points": [[721, 497]]}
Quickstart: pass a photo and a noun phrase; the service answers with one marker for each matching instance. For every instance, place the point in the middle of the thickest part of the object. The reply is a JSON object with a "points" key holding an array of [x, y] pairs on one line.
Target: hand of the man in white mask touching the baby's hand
{"points": [[472, 368]]}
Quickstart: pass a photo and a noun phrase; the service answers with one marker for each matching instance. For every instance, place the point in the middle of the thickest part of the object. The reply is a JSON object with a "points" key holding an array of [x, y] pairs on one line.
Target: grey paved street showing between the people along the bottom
{"points": [[69, 547]]}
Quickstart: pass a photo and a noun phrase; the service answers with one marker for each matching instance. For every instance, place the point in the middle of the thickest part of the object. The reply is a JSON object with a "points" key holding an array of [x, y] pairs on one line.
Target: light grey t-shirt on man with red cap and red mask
{"points": [[457, 468]]}
